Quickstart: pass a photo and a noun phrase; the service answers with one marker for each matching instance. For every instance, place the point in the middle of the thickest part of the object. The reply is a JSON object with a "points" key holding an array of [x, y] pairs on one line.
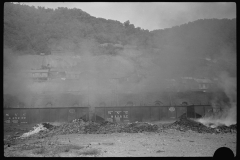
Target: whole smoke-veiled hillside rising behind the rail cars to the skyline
{"points": [[109, 56]]}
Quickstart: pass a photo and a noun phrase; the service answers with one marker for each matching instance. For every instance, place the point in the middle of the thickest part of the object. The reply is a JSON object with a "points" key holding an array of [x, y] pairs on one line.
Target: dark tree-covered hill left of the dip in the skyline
{"points": [[28, 28]]}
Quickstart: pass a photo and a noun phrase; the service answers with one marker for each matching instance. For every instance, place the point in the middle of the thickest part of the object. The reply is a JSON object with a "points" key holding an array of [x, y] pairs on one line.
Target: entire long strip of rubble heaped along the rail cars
{"points": [[79, 126]]}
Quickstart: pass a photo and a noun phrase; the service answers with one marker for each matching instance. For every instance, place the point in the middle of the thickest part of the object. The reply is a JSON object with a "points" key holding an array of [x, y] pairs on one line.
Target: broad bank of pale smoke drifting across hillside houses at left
{"points": [[102, 77]]}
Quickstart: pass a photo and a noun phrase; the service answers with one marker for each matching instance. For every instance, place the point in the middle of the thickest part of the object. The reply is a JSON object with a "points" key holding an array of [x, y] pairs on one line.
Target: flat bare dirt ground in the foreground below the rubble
{"points": [[167, 143]]}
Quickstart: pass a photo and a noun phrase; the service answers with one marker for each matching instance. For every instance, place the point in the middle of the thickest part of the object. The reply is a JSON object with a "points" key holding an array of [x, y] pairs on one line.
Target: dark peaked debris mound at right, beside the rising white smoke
{"points": [[184, 124]]}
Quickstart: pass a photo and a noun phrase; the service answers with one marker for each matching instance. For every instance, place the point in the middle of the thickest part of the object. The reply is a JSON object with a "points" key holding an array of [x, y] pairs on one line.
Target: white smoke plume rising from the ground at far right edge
{"points": [[224, 106]]}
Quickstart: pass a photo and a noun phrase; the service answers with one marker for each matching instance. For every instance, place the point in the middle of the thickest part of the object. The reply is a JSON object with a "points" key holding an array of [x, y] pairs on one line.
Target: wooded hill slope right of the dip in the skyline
{"points": [[200, 37]]}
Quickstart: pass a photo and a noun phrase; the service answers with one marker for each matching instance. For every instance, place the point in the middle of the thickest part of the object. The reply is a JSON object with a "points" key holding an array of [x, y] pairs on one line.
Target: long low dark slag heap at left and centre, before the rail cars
{"points": [[80, 126]]}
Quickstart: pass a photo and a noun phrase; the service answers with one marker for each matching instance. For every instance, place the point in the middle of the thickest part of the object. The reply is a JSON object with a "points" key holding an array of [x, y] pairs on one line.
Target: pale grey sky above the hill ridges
{"points": [[150, 15]]}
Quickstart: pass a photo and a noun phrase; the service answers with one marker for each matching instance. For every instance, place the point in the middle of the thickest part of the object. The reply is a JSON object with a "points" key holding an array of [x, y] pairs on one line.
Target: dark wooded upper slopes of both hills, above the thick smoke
{"points": [[30, 30]]}
